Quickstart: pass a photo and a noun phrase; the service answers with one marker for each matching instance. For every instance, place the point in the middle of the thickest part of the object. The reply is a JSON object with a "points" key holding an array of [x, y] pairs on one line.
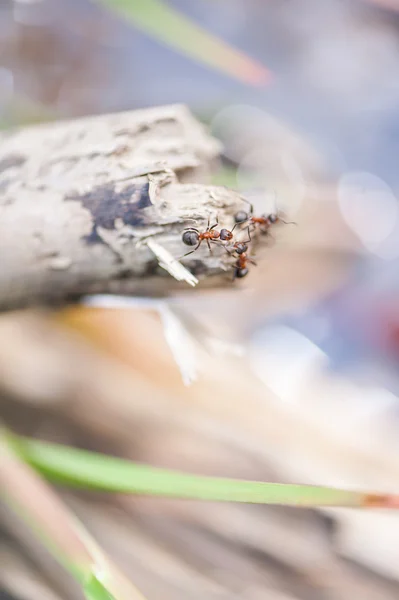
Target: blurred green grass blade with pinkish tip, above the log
{"points": [[168, 26]]}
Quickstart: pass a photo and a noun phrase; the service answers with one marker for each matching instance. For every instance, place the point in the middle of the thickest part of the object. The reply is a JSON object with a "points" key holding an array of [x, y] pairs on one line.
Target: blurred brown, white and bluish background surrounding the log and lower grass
{"points": [[297, 368]]}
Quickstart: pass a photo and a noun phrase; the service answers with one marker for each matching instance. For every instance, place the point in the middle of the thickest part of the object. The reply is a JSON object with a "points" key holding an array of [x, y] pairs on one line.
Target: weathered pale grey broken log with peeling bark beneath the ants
{"points": [[79, 198]]}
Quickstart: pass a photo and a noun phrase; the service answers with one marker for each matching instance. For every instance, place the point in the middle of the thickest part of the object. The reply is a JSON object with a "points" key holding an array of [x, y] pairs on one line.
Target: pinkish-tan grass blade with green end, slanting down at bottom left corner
{"points": [[30, 498]]}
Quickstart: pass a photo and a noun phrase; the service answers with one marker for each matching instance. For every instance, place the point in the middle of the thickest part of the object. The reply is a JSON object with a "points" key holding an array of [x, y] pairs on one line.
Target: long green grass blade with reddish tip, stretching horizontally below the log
{"points": [[82, 469]]}
